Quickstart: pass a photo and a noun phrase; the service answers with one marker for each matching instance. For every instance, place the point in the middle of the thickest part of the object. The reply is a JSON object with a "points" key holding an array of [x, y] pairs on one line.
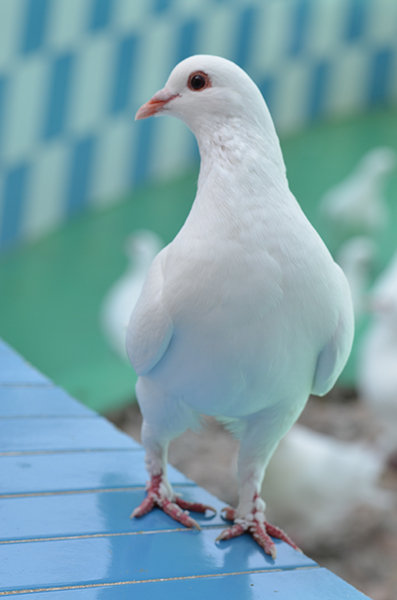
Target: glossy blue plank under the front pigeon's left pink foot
{"points": [[92, 513]]}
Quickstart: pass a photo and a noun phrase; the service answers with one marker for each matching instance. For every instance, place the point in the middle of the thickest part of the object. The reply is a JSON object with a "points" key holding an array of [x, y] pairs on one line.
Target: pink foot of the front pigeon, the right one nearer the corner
{"points": [[256, 525]]}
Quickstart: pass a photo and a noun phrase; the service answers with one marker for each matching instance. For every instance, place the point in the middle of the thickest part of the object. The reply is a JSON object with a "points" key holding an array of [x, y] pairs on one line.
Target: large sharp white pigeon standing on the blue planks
{"points": [[244, 313]]}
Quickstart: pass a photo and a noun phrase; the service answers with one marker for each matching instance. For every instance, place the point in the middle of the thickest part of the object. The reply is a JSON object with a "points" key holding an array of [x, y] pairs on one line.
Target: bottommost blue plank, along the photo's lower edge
{"points": [[302, 584]]}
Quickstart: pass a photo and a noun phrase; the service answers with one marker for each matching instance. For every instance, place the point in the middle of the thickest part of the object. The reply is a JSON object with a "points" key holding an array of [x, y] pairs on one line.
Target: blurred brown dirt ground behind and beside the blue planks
{"points": [[364, 551]]}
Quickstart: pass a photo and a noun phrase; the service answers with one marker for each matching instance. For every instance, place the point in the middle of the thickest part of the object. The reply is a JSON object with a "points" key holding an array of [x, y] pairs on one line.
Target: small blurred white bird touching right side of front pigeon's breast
{"points": [[356, 257]]}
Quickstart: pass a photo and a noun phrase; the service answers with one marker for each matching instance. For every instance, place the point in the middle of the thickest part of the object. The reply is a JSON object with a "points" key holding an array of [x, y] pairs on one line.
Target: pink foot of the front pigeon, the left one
{"points": [[176, 508]]}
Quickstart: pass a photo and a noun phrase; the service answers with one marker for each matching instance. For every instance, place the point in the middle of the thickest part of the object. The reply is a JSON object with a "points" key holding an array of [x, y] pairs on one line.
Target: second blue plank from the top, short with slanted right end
{"points": [[39, 401]]}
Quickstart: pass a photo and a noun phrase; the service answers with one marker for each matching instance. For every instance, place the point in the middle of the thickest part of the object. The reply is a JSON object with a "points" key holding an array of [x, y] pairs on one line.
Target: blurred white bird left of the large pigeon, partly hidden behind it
{"points": [[141, 247]]}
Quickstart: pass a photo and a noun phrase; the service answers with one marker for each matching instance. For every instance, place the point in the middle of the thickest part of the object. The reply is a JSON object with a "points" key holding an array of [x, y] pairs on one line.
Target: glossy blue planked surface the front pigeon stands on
{"points": [[68, 483]]}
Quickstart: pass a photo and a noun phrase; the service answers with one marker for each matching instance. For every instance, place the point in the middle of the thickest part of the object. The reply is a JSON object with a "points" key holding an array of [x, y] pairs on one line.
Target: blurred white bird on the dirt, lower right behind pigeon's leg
{"points": [[314, 483]]}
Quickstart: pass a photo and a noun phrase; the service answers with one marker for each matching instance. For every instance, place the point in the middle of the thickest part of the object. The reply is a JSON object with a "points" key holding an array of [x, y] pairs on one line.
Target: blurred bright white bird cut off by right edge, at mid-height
{"points": [[377, 373]]}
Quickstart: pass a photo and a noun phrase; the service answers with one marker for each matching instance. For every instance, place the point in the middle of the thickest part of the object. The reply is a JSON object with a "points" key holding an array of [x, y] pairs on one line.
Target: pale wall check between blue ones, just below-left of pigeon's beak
{"points": [[113, 161]]}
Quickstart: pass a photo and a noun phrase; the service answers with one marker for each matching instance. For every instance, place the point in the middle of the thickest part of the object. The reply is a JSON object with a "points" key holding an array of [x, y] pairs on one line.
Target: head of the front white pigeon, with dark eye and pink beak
{"points": [[203, 90]]}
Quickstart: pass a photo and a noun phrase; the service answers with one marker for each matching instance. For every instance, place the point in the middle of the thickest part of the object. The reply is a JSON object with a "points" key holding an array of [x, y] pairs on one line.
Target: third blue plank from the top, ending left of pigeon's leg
{"points": [[34, 434]]}
